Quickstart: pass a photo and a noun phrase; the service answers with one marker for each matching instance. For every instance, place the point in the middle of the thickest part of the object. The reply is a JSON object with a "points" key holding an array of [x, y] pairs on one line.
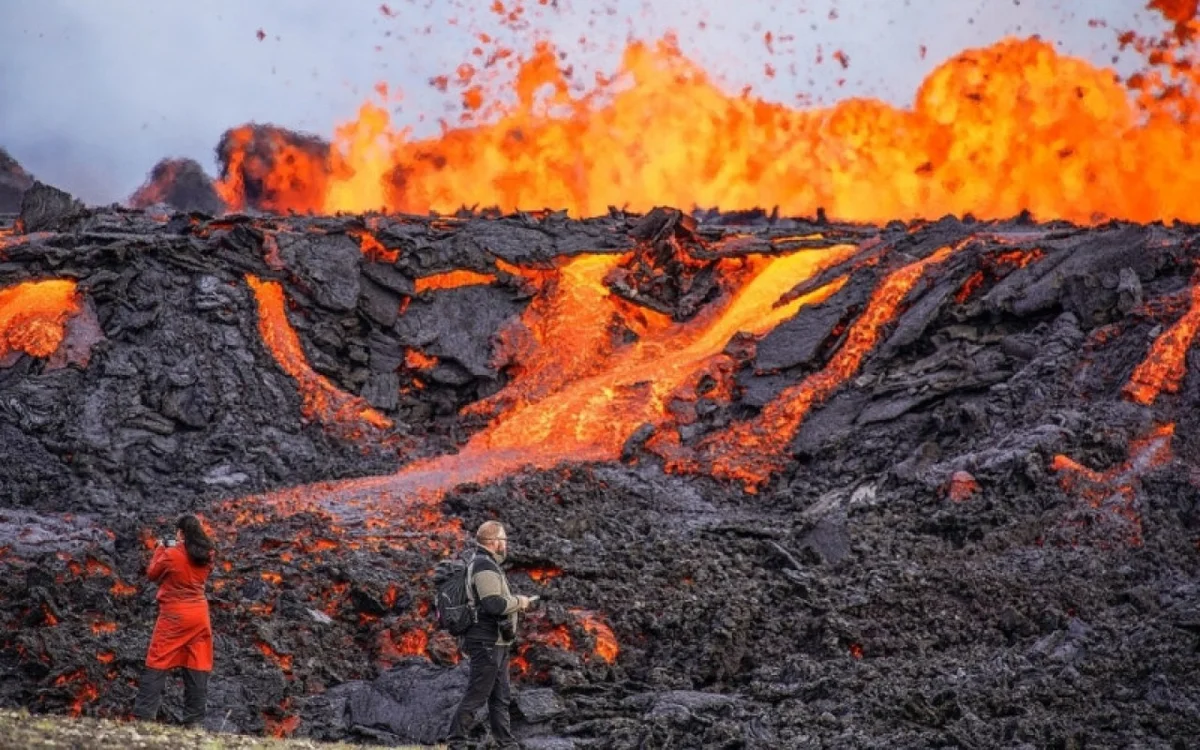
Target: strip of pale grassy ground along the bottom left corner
{"points": [[20, 729]]}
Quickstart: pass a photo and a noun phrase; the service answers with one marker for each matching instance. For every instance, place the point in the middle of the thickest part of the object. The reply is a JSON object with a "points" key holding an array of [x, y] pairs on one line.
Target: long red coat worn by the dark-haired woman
{"points": [[183, 637]]}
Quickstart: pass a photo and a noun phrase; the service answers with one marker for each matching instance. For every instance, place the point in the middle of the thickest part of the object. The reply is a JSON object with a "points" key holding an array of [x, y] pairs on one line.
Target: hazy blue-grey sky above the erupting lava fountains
{"points": [[95, 92]]}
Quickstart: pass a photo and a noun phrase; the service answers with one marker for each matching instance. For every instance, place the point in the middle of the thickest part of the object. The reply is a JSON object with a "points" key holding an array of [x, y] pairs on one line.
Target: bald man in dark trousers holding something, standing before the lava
{"points": [[490, 640]]}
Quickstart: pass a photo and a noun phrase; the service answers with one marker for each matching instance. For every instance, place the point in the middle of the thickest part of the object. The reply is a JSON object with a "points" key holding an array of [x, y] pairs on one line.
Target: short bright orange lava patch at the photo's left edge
{"points": [[34, 316]]}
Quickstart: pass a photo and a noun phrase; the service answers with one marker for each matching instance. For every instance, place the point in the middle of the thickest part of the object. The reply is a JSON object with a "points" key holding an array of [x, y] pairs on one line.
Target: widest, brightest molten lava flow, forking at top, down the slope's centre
{"points": [[583, 392]]}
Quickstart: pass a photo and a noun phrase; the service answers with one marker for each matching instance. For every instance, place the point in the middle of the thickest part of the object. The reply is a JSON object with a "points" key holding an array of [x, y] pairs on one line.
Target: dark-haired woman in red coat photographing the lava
{"points": [[183, 635]]}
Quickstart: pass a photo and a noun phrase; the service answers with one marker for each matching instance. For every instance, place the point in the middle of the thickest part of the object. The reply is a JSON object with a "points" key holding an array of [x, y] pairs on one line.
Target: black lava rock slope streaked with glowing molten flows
{"points": [[937, 489]]}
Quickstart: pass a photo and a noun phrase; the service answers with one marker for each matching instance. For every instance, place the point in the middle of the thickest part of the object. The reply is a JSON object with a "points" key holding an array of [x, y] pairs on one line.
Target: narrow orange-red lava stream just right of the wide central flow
{"points": [[752, 452]]}
